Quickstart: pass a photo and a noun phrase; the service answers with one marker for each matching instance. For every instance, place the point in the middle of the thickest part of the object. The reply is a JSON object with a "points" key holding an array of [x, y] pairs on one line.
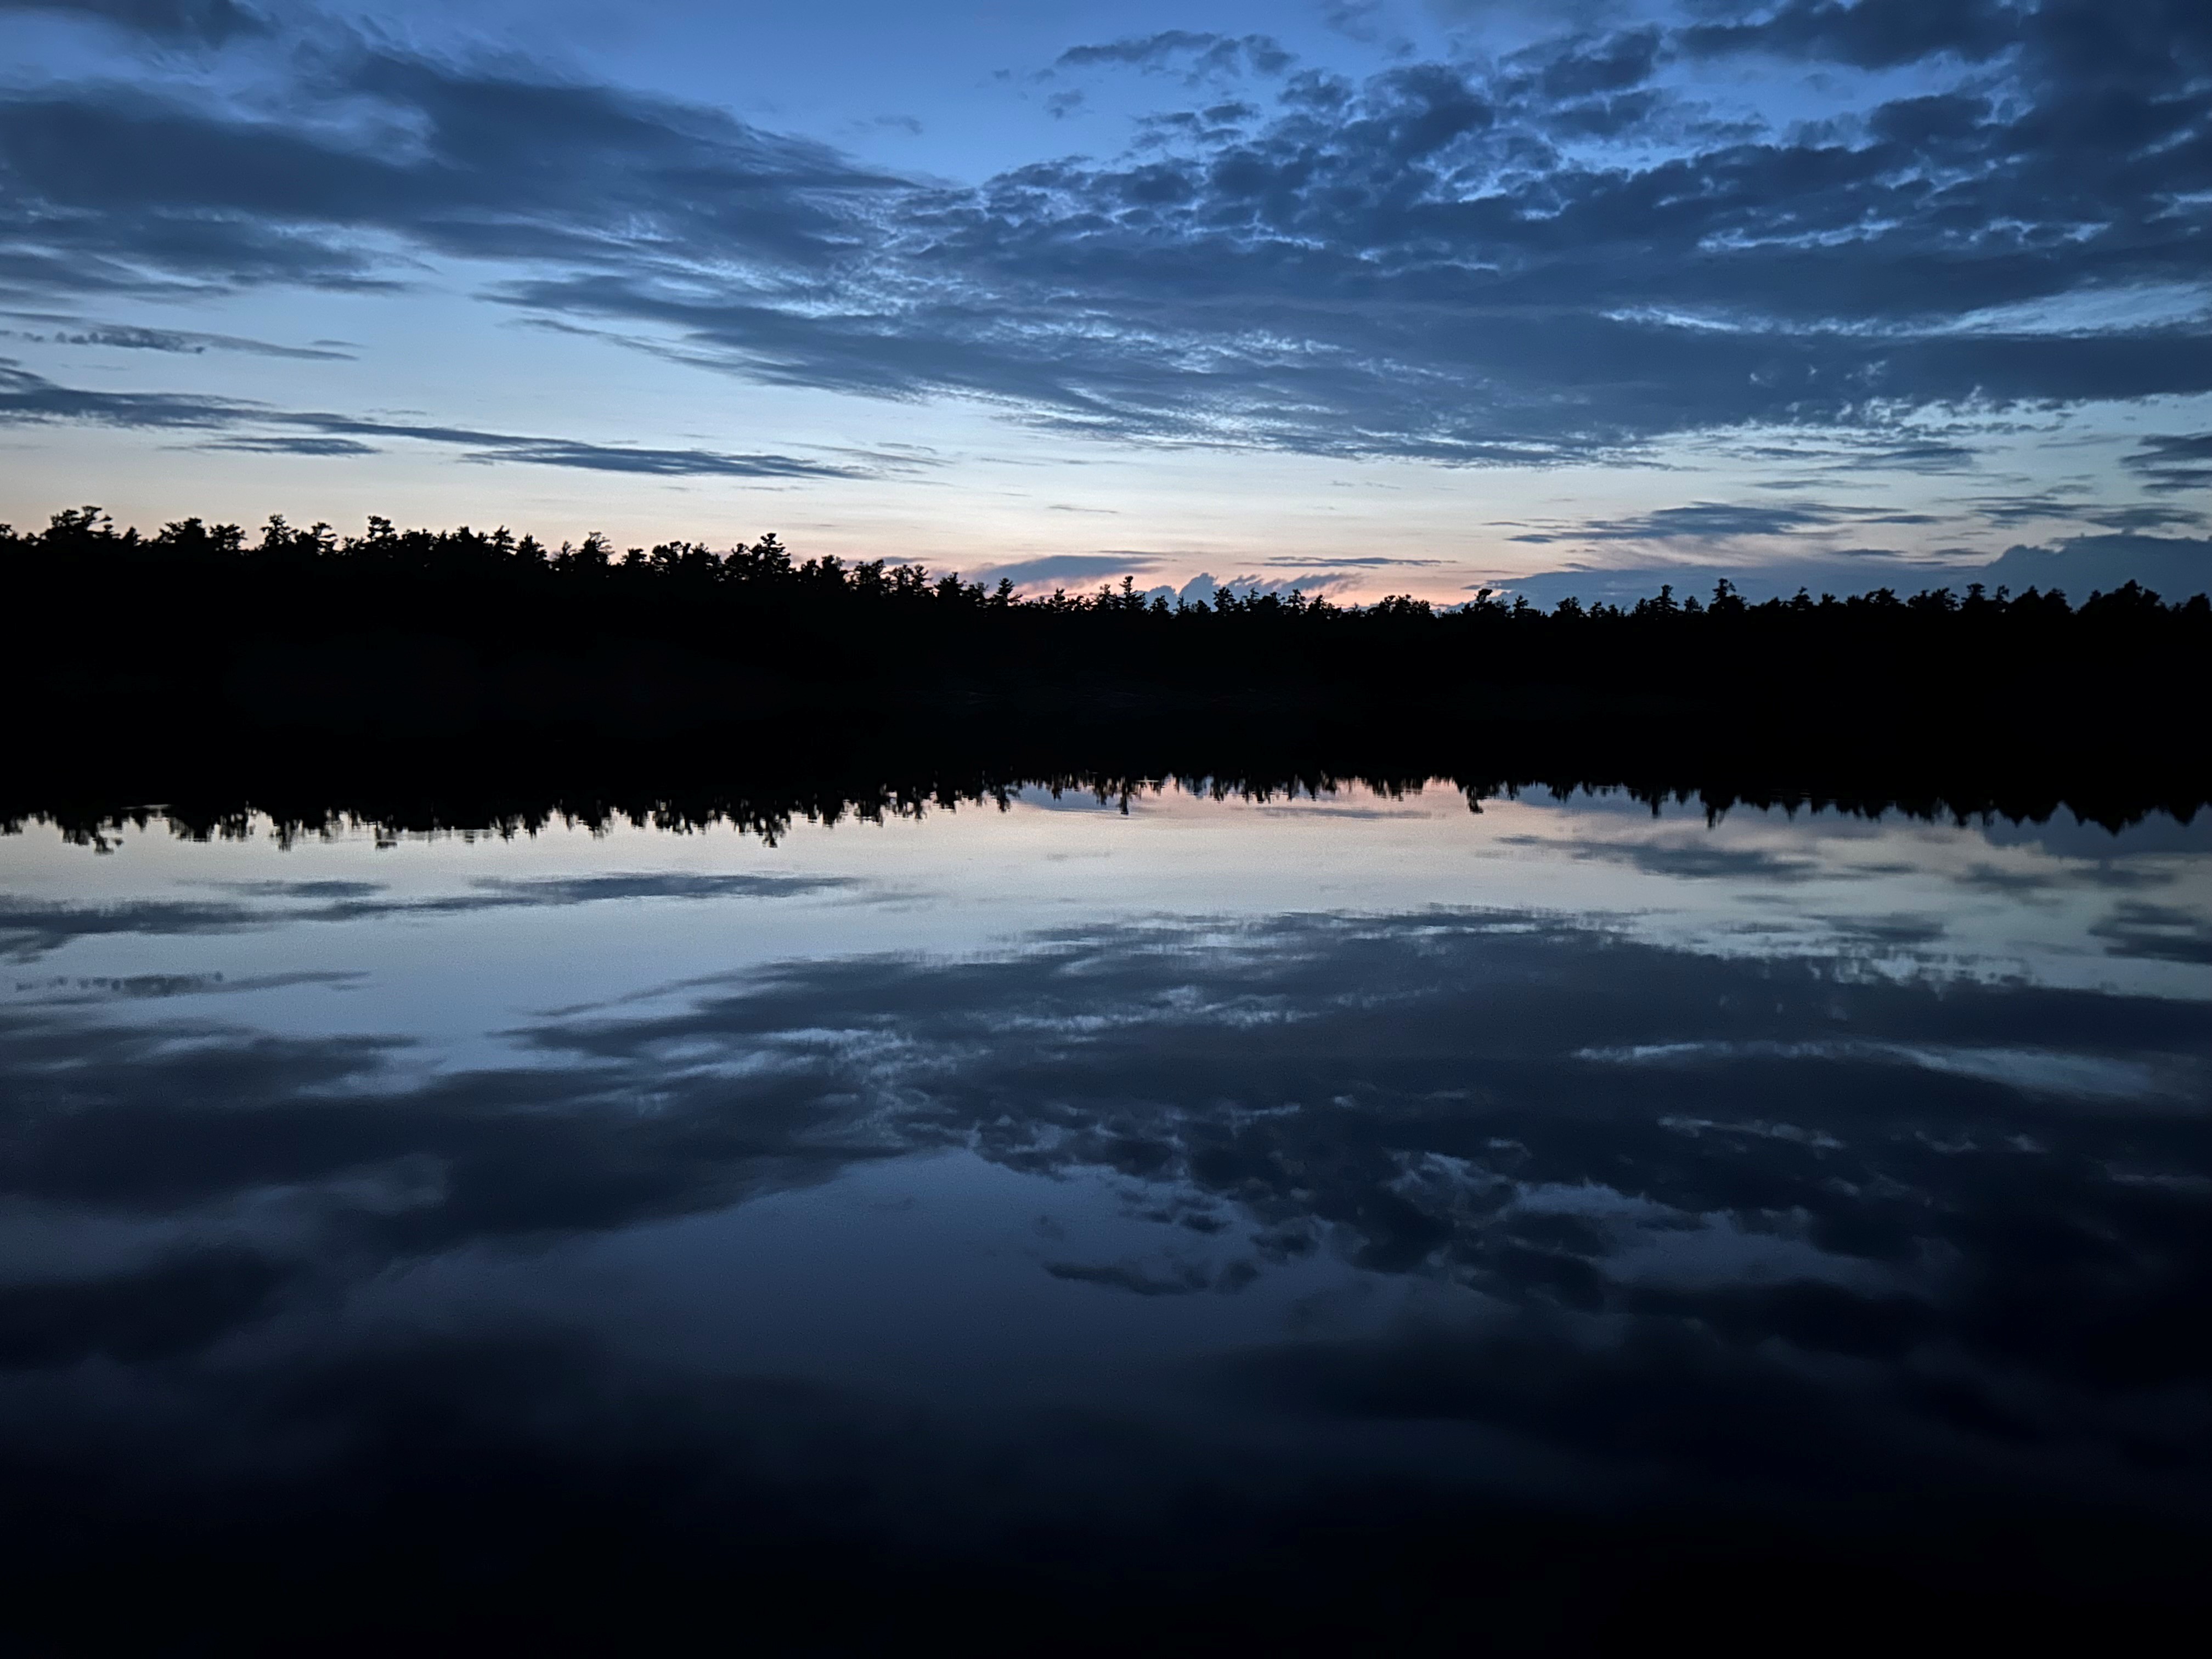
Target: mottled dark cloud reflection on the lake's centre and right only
{"points": [[1295, 1076]]}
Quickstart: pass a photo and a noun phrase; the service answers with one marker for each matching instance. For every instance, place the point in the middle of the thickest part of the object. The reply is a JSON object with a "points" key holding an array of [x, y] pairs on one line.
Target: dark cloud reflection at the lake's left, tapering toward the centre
{"points": [[479, 1156]]}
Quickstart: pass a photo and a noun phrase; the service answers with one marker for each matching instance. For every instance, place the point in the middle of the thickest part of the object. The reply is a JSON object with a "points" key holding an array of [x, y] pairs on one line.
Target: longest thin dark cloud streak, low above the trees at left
{"points": [[30, 399]]}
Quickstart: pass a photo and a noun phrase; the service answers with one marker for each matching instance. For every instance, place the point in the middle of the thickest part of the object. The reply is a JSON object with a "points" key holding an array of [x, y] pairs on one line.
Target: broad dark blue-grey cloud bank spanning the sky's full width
{"points": [[1547, 258]]}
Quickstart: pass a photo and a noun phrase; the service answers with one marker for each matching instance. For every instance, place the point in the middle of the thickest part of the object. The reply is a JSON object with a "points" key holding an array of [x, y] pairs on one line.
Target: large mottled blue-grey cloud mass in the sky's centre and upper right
{"points": [[1397, 275]]}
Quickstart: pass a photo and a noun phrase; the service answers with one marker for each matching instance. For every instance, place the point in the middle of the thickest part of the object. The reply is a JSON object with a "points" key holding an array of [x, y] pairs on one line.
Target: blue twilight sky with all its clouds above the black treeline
{"points": [[1350, 295]]}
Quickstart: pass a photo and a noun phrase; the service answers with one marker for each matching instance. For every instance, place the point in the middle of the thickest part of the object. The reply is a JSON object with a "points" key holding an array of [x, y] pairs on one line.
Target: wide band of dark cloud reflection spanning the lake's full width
{"points": [[1494, 1100]]}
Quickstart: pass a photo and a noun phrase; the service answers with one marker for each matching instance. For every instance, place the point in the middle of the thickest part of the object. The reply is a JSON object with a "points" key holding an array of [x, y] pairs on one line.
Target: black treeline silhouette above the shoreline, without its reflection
{"points": [[824, 620]]}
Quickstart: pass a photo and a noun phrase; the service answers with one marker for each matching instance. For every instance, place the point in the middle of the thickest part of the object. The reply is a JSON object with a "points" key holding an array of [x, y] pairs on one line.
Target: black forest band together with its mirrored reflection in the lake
{"points": [[331, 671]]}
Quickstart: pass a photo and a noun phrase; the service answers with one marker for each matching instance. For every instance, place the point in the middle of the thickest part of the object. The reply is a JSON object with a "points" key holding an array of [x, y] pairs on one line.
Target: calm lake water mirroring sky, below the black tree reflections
{"points": [[1209, 1224]]}
